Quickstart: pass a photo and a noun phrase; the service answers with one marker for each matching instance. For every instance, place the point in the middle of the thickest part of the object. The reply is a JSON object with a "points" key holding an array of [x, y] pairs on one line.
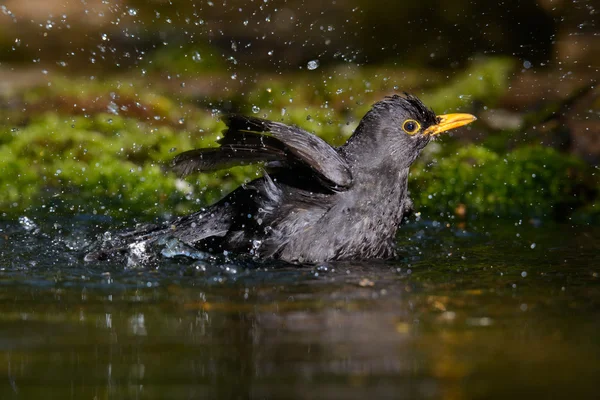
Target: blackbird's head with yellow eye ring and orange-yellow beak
{"points": [[393, 133]]}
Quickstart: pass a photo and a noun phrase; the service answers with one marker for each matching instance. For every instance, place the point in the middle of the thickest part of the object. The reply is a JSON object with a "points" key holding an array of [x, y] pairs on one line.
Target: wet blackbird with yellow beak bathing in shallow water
{"points": [[314, 202]]}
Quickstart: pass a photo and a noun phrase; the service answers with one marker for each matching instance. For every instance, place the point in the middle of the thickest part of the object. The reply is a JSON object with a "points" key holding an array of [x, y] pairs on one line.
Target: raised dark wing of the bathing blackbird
{"points": [[251, 140]]}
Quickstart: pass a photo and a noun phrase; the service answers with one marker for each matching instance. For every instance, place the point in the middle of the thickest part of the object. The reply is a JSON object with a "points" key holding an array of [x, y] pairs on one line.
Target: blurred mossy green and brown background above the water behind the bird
{"points": [[97, 96]]}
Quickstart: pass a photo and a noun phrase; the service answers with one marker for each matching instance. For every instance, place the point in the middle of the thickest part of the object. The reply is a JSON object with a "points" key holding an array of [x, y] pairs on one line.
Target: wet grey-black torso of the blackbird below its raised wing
{"points": [[295, 224]]}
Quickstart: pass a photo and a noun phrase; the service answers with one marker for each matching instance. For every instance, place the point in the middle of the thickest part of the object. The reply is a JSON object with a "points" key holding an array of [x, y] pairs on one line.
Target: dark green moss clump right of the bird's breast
{"points": [[532, 181]]}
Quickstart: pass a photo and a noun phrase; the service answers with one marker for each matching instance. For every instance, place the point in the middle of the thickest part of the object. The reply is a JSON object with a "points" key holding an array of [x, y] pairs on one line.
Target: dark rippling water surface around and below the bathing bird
{"points": [[488, 309]]}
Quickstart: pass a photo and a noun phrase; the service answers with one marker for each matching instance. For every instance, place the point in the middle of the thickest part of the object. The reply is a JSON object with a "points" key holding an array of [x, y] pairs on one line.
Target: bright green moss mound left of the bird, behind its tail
{"points": [[104, 162]]}
